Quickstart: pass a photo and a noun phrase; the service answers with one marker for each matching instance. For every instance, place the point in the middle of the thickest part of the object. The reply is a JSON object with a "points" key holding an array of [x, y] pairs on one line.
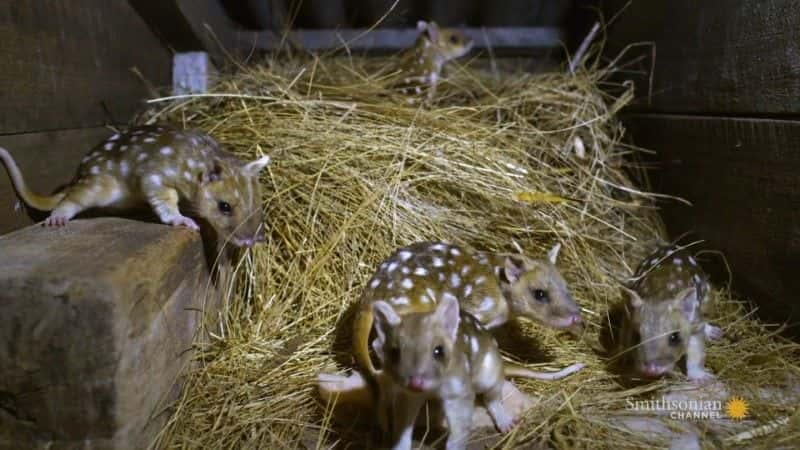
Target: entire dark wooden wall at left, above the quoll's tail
{"points": [[68, 70]]}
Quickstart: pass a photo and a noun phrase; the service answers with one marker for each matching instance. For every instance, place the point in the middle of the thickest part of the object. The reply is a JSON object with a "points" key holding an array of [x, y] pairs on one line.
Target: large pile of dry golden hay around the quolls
{"points": [[495, 163]]}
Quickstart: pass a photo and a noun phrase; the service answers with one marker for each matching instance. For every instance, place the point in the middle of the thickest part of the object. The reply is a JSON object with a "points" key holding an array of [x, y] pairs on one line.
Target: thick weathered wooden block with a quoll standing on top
{"points": [[97, 321]]}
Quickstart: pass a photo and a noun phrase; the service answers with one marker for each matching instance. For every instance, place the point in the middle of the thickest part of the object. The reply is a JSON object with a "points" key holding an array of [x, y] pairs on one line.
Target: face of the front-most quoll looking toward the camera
{"points": [[417, 350]]}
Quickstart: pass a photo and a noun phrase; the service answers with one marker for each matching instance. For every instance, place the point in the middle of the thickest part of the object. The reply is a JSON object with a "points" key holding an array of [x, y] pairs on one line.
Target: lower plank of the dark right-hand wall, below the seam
{"points": [[743, 178]]}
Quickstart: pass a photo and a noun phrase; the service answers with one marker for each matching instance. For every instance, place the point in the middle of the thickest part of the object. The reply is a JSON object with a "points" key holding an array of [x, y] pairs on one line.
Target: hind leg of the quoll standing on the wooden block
{"points": [[87, 193]]}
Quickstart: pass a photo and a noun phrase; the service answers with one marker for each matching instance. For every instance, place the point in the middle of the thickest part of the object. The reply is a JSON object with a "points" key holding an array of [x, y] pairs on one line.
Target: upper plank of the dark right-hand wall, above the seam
{"points": [[713, 57]]}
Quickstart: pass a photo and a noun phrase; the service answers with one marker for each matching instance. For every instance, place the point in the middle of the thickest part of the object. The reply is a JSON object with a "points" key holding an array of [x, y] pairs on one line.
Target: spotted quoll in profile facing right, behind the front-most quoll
{"points": [[493, 287]]}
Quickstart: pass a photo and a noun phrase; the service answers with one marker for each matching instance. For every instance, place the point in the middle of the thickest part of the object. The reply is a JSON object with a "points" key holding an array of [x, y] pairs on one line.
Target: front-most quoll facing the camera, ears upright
{"points": [[442, 355]]}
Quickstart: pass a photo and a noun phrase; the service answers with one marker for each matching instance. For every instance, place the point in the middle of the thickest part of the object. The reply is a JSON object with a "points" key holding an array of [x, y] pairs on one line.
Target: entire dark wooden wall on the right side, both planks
{"points": [[722, 111]]}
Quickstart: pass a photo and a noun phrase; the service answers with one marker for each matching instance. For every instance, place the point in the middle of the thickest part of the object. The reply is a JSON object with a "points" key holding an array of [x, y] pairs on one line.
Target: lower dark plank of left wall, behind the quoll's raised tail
{"points": [[47, 160]]}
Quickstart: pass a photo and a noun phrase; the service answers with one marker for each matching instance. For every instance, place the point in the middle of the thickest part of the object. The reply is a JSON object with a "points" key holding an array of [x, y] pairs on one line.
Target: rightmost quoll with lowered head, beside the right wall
{"points": [[668, 296]]}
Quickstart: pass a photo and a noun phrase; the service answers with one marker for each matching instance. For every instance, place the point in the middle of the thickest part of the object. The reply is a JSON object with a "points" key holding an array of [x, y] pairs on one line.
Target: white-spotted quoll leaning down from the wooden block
{"points": [[160, 166]]}
